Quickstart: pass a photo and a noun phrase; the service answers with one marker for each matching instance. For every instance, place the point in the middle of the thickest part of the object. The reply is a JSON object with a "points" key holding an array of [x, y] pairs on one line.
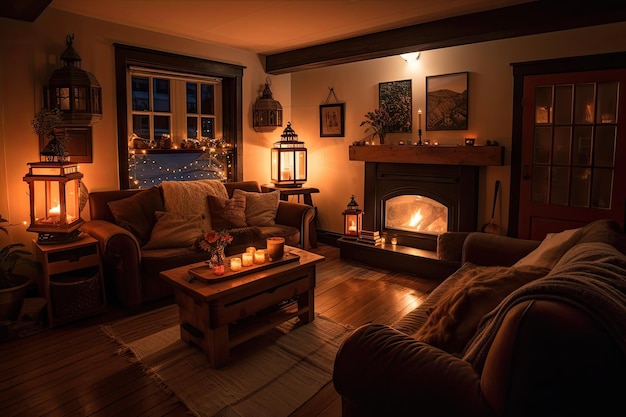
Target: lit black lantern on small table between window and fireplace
{"points": [[288, 159]]}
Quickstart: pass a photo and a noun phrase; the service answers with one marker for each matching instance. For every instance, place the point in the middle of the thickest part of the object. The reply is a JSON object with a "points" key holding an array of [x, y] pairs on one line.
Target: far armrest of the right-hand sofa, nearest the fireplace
{"points": [[487, 249]]}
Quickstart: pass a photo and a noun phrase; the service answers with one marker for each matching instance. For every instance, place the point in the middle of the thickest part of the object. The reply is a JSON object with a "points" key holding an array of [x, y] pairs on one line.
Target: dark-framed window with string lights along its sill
{"points": [[179, 117]]}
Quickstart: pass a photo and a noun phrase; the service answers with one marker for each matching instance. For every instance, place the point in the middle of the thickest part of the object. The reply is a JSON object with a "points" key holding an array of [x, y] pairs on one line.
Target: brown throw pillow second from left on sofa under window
{"points": [[174, 230]]}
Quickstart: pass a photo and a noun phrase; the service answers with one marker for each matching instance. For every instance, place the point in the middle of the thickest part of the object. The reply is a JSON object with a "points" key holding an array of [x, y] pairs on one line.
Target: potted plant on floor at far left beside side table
{"points": [[12, 284]]}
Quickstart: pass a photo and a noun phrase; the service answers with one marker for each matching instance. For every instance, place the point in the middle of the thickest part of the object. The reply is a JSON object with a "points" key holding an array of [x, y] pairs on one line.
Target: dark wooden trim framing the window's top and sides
{"points": [[232, 96]]}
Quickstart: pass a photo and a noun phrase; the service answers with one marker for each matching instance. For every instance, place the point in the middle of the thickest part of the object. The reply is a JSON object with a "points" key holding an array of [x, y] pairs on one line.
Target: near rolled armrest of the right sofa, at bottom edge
{"points": [[381, 371]]}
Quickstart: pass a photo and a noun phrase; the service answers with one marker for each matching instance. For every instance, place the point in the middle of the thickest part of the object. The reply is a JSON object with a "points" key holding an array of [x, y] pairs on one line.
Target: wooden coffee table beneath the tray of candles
{"points": [[218, 316]]}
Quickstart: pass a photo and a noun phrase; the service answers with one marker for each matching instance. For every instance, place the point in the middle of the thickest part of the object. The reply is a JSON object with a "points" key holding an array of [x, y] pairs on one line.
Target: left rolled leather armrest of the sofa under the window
{"points": [[121, 255]]}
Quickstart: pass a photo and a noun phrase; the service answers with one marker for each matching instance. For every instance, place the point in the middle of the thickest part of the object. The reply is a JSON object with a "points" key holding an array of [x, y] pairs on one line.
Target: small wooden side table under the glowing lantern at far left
{"points": [[72, 281]]}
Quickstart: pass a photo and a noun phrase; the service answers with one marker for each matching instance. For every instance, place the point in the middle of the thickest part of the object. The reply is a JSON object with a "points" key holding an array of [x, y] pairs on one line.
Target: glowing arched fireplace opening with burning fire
{"points": [[415, 213]]}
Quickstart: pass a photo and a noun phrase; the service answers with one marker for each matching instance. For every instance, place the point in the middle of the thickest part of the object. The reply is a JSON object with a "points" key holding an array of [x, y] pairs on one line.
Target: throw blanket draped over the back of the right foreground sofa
{"points": [[590, 276]]}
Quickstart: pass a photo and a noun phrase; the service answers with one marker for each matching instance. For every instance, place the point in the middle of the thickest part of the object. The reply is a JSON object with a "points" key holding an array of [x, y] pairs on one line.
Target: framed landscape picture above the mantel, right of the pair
{"points": [[447, 101]]}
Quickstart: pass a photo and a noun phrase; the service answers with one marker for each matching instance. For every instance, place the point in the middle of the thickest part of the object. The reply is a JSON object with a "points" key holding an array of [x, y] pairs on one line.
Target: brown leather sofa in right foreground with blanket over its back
{"points": [[553, 347]]}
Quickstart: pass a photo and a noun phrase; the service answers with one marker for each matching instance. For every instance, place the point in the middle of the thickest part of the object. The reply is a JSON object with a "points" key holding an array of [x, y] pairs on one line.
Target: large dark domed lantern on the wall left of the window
{"points": [[74, 91]]}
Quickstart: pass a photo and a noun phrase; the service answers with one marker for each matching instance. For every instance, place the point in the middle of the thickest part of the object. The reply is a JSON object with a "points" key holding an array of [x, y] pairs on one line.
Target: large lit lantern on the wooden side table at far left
{"points": [[55, 203]]}
